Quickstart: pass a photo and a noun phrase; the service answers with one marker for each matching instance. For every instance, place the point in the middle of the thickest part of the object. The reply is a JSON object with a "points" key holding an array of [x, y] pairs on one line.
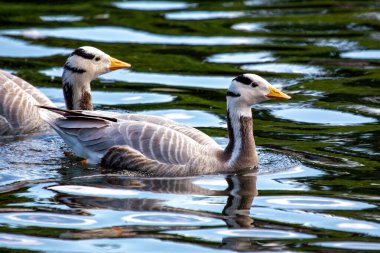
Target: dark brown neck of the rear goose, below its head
{"points": [[76, 90]]}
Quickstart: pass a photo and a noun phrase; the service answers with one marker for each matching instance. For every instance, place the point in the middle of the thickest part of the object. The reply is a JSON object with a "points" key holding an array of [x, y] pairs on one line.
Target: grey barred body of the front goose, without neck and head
{"points": [[141, 145]]}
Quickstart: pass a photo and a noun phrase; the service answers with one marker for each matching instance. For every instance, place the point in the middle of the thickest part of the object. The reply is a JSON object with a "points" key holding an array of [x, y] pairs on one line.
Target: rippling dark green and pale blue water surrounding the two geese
{"points": [[317, 189]]}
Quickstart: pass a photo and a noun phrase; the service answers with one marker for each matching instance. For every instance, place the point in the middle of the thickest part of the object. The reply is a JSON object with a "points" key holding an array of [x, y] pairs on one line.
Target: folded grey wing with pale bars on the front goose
{"points": [[91, 137]]}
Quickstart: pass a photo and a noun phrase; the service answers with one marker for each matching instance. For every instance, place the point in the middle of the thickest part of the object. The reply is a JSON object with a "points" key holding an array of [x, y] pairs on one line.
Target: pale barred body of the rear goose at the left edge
{"points": [[18, 107]]}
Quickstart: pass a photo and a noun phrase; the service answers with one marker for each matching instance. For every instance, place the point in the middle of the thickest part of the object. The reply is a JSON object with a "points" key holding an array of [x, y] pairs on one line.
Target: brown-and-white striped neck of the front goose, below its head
{"points": [[241, 149]]}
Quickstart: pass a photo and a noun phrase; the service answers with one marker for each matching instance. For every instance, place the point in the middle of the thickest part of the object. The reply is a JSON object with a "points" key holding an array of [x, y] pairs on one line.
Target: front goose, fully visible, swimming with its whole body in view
{"points": [[157, 146]]}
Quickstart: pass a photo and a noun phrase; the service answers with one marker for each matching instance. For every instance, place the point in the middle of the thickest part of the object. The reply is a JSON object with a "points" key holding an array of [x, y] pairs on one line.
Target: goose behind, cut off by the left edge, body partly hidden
{"points": [[18, 98]]}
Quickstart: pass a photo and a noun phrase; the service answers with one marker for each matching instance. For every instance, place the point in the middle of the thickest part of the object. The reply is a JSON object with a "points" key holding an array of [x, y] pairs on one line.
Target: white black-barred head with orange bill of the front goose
{"points": [[250, 89]]}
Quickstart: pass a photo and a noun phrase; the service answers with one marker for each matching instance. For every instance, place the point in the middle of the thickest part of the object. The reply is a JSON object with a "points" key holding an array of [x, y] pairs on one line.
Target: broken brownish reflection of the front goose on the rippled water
{"points": [[240, 192]]}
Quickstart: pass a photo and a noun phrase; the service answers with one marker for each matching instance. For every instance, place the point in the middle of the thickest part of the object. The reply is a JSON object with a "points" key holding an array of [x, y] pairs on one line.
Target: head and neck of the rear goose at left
{"points": [[82, 66]]}
